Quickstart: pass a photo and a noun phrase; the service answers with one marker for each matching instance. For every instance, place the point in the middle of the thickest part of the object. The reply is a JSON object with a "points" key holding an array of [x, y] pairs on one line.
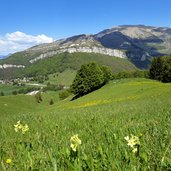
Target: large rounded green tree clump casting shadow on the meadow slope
{"points": [[90, 77]]}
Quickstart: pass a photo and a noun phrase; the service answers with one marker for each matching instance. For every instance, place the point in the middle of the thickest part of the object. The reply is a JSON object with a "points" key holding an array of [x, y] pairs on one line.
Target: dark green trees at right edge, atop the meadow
{"points": [[161, 69]]}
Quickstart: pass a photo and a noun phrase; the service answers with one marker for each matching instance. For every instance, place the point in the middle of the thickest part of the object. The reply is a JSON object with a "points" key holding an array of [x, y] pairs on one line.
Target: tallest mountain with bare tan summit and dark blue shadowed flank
{"points": [[139, 41]]}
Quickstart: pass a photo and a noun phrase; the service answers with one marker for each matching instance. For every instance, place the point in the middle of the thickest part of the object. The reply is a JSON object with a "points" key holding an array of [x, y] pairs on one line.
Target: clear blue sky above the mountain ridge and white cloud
{"points": [[63, 18]]}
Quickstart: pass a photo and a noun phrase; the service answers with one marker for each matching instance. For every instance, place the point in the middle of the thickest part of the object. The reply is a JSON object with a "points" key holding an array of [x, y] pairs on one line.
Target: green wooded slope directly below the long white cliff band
{"points": [[61, 62]]}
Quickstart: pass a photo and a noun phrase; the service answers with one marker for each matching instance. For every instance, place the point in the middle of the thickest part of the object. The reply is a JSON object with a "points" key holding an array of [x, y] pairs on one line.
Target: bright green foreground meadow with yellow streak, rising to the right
{"points": [[101, 119]]}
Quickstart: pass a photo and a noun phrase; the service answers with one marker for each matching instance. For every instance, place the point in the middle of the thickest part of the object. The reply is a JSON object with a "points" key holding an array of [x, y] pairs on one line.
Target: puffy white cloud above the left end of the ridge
{"points": [[18, 41]]}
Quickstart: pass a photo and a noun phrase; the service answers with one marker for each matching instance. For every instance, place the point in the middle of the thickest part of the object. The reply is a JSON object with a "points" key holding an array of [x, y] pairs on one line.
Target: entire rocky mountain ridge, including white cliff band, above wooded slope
{"points": [[136, 43]]}
